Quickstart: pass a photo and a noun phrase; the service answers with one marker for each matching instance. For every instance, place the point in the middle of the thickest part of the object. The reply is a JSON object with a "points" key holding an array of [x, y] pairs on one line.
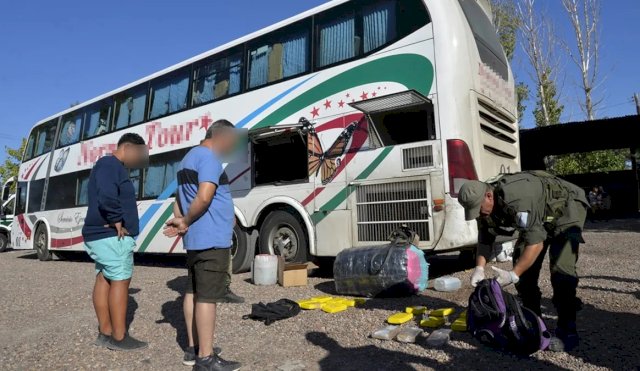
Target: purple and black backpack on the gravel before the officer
{"points": [[497, 319]]}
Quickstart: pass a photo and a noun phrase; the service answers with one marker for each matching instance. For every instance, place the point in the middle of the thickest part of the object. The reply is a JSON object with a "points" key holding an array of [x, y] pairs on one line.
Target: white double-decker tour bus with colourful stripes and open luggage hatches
{"points": [[361, 115]]}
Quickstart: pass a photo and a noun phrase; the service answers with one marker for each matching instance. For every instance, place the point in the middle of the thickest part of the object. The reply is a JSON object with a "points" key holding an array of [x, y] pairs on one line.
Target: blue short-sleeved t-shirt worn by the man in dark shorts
{"points": [[214, 228]]}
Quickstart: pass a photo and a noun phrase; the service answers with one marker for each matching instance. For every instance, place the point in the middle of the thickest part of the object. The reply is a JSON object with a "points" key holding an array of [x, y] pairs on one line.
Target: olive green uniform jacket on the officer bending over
{"points": [[527, 203]]}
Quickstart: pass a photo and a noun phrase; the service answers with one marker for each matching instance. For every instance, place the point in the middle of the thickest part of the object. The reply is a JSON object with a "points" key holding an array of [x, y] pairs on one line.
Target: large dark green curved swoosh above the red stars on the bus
{"points": [[411, 70]]}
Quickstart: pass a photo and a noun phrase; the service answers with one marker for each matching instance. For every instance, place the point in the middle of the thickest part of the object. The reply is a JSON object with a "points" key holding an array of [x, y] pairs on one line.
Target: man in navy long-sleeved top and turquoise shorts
{"points": [[110, 224]]}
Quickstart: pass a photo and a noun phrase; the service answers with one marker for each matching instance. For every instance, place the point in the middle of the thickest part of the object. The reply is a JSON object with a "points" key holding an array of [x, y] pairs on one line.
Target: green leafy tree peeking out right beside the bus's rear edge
{"points": [[507, 23]]}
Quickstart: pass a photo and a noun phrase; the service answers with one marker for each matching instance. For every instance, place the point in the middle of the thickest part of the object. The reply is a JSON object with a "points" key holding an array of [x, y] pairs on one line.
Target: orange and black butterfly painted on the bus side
{"points": [[326, 163]]}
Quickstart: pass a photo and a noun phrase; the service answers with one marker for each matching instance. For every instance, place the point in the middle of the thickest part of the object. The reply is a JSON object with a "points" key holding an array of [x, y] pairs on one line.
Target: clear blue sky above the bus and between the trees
{"points": [[55, 53]]}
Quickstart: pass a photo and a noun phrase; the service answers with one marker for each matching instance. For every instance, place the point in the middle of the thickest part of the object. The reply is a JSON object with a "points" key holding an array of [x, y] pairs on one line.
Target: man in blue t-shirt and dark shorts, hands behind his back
{"points": [[205, 216]]}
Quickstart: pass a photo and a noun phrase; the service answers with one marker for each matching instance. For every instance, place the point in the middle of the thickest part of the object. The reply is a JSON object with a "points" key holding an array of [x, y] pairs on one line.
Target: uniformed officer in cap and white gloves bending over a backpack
{"points": [[549, 214]]}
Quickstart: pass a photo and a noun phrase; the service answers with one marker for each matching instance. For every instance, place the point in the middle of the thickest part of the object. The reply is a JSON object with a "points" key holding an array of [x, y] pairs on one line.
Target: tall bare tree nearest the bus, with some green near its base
{"points": [[538, 45]]}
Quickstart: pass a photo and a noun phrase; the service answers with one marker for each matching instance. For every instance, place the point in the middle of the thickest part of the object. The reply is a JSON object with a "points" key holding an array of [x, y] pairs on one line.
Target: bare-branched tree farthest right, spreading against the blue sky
{"points": [[585, 20]]}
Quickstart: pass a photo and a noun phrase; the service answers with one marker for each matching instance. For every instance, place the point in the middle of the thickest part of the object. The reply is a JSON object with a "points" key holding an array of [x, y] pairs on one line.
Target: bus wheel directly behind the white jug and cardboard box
{"points": [[282, 234]]}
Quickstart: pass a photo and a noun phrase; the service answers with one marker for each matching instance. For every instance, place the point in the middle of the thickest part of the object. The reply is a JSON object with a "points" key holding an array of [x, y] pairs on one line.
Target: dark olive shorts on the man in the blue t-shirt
{"points": [[209, 274]]}
